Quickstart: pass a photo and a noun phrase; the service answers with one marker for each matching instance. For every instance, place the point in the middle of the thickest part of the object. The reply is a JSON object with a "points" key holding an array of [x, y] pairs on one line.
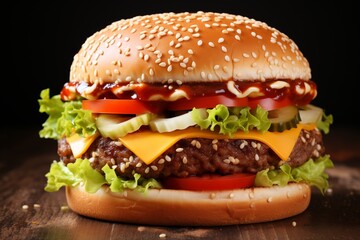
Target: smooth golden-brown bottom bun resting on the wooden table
{"points": [[168, 207]]}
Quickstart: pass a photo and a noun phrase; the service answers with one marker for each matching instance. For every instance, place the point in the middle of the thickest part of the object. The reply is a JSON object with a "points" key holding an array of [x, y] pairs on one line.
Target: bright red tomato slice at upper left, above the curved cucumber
{"points": [[122, 106]]}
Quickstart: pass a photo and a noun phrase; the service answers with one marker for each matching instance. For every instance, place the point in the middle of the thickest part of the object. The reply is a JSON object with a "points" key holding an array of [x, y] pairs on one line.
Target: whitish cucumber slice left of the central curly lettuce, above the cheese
{"points": [[175, 123]]}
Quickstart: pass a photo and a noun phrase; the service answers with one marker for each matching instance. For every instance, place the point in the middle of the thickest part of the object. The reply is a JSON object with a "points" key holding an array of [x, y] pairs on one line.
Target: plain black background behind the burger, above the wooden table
{"points": [[45, 37]]}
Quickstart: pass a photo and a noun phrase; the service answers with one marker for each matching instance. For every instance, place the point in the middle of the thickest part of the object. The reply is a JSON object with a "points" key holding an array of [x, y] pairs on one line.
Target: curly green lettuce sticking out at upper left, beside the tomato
{"points": [[65, 118]]}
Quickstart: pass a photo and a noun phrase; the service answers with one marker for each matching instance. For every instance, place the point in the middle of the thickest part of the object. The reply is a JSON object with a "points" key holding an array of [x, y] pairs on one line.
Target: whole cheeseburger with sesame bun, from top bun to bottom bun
{"points": [[187, 119]]}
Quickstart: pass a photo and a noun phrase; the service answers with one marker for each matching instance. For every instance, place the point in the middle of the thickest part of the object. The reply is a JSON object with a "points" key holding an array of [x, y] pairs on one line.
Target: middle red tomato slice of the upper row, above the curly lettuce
{"points": [[207, 102]]}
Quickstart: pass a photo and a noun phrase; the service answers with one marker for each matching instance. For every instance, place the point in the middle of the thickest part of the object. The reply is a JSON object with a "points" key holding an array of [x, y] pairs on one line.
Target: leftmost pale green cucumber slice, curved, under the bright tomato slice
{"points": [[115, 126]]}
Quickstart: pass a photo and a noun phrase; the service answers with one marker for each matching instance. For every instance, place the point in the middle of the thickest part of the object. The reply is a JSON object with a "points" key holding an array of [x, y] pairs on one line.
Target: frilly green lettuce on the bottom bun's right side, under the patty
{"points": [[311, 172]]}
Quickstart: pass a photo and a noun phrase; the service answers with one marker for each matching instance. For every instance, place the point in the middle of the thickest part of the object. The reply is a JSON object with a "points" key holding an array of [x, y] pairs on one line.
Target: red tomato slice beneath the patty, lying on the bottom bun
{"points": [[211, 182]]}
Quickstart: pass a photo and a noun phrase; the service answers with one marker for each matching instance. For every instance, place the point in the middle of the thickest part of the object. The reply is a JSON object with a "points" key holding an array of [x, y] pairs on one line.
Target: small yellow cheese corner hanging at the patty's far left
{"points": [[79, 144]]}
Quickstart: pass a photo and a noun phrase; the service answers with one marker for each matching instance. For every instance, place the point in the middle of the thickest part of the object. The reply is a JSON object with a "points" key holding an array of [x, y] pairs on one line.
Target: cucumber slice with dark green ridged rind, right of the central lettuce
{"points": [[283, 118]]}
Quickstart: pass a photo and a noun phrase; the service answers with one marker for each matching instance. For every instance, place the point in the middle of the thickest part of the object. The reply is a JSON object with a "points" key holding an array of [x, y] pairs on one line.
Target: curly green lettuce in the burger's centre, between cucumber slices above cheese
{"points": [[228, 120]]}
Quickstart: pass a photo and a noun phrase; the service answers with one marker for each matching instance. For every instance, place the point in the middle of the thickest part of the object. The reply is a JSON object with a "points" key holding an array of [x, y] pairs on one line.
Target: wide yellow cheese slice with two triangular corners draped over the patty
{"points": [[149, 145]]}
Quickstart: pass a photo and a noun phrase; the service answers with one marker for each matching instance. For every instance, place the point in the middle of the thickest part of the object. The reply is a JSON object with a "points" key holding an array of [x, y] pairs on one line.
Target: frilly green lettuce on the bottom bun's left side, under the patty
{"points": [[81, 172]]}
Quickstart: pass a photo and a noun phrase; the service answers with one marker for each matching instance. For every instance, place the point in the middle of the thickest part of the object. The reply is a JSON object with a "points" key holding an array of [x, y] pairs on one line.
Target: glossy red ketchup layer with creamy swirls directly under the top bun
{"points": [[299, 92]]}
